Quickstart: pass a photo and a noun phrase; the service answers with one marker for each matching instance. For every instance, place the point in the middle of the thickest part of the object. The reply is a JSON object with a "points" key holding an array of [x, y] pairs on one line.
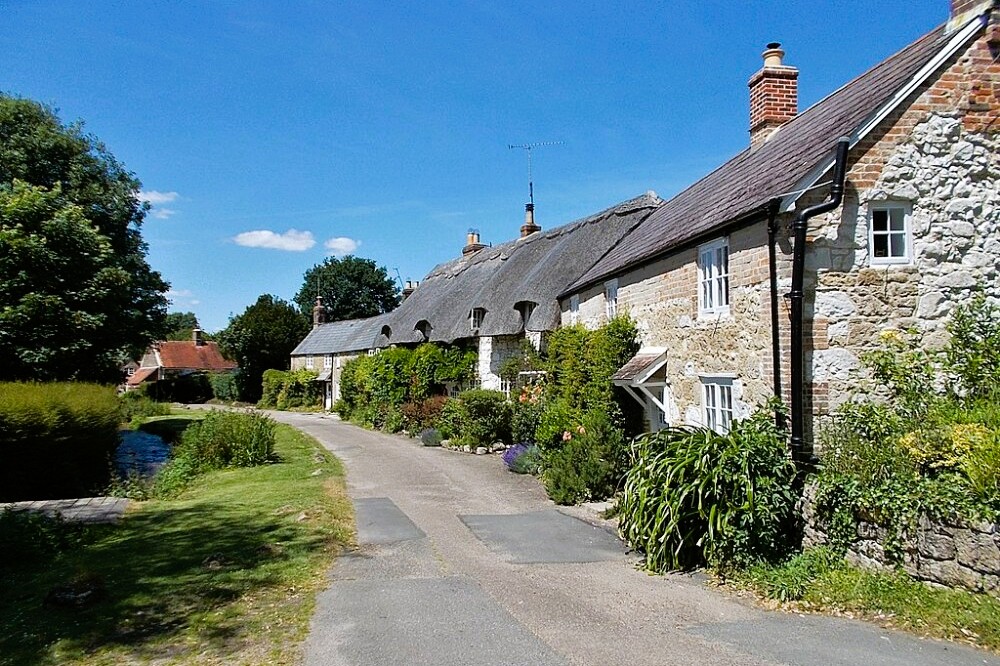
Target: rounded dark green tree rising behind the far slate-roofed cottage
{"points": [[351, 288]]}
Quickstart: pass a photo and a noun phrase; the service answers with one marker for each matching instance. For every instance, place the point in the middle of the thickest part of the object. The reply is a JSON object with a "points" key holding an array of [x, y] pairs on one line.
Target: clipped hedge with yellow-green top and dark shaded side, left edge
{"points": [[56, 439]]}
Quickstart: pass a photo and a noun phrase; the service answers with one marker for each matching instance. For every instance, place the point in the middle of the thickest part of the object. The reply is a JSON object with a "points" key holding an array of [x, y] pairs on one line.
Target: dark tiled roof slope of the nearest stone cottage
{"points": [[748, 181]]}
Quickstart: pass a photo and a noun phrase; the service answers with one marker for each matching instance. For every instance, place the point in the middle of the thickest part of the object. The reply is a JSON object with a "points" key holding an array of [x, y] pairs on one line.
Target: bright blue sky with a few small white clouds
{"points": [[268, 135]]}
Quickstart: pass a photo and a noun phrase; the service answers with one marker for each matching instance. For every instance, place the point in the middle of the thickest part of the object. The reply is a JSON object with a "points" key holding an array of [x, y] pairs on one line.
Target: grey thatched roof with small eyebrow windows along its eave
{"points": [[534, 269]]}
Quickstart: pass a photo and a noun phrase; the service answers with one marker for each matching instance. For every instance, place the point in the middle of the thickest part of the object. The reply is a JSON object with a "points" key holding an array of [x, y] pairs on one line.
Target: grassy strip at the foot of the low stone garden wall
{"points": [[818, 581]]}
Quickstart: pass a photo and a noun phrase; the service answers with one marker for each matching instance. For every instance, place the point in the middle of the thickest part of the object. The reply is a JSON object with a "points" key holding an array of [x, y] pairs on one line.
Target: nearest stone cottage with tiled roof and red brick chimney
{"points": [[774, 273]]}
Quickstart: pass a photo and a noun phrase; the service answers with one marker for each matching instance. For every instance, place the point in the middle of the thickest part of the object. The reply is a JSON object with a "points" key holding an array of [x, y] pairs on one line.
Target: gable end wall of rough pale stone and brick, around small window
{"points": [[940, 158]]}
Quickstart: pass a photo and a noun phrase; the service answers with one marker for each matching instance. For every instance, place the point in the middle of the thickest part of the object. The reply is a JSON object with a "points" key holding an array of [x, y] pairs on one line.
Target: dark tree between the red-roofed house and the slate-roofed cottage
{"points": [[262, 338]]}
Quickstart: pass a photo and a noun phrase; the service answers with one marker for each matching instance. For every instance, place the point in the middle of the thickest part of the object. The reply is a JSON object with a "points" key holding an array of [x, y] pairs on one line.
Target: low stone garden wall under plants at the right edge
{"points": [[953, 555]]}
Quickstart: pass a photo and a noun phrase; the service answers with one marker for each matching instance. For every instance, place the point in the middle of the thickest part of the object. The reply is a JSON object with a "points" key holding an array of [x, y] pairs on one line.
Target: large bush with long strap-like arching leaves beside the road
{"points": [[694, 496]]}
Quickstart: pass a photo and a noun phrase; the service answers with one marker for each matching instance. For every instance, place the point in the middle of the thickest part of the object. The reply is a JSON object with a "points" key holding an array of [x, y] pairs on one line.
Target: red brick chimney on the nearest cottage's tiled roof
{"points": [[774, 95]]}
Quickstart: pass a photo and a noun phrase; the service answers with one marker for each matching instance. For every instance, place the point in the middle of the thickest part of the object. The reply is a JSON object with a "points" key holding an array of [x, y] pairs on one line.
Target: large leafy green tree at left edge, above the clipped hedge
{"points": [[77, 296]]}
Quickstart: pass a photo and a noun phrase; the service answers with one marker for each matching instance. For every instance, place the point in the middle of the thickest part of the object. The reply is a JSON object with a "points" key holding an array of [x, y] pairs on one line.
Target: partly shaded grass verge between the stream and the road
{"points": [[227, 573]]}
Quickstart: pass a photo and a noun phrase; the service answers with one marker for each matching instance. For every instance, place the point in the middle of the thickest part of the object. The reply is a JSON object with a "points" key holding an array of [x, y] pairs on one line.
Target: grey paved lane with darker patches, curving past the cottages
{"points": [[463, 563]]}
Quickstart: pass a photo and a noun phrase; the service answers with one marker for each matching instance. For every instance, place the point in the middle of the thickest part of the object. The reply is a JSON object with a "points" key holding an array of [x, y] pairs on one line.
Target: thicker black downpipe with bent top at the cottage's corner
{"points": [[797, 295]]}
